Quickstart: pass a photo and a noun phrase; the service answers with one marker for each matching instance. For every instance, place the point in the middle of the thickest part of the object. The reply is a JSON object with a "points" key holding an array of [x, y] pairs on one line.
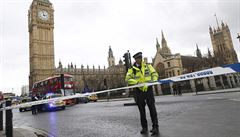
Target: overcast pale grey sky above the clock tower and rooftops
{"points": [[84, 29]]}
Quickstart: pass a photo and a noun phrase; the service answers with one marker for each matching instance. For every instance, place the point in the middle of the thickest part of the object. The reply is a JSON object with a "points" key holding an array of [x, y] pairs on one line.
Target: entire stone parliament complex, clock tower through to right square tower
{"points": [[42, 59]]}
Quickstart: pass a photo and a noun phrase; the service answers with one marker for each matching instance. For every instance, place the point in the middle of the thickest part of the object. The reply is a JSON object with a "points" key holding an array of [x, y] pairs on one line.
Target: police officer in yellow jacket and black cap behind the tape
{"points": [[143, 73]]}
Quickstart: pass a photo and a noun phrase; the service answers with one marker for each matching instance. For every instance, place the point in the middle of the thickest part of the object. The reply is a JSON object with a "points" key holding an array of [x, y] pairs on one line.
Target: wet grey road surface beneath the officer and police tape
{"points": [[215, 115]]}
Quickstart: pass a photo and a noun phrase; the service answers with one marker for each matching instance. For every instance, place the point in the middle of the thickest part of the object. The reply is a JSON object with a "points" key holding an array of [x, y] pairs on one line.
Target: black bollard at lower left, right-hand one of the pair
{"points": [[8, 122]]}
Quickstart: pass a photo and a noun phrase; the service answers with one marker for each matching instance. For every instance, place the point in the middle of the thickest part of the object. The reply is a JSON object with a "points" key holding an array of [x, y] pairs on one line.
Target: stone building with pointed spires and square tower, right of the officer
{"points": [[168, 64]]}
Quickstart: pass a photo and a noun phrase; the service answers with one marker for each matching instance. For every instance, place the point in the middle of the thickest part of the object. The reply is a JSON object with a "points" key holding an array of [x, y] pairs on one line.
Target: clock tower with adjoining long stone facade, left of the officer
{"points": [[41, 54]]}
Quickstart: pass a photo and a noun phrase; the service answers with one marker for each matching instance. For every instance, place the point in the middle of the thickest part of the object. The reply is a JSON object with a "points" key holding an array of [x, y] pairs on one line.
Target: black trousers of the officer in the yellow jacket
{"points": [[144, 98]]}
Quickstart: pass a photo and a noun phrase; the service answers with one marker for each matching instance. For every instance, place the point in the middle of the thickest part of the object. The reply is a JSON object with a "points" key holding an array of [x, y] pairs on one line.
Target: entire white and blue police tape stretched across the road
{"points": [[227, 69]]}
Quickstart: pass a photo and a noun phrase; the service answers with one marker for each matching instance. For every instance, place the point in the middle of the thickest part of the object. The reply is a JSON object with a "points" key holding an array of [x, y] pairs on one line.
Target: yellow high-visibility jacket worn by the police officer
{"points": [[146, 74]]}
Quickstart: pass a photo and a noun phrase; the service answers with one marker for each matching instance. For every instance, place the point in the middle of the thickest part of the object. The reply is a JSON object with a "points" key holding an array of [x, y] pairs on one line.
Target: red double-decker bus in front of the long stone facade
{"points": [[55, 85]]}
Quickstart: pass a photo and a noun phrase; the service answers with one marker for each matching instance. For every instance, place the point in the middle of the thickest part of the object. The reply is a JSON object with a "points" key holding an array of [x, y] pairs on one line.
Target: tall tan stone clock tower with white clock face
{"points": [[41, 42]]}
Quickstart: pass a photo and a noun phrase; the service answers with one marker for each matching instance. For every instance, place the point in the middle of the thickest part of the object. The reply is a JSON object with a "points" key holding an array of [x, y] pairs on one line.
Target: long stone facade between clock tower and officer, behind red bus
{"points": [[96, 78]]}
